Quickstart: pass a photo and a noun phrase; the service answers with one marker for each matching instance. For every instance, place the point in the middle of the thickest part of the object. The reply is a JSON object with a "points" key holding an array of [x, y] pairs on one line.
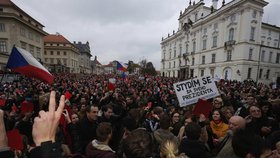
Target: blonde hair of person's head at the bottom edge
{"points": [[169, 148]]}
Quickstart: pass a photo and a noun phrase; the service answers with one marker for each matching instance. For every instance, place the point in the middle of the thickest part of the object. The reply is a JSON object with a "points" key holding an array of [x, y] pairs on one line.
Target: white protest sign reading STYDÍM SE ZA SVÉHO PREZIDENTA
{"points": [[189, 91]]}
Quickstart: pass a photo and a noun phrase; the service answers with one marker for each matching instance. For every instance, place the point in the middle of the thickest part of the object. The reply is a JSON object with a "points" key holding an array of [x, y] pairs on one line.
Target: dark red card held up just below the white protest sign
{"points": [[202, 107]]}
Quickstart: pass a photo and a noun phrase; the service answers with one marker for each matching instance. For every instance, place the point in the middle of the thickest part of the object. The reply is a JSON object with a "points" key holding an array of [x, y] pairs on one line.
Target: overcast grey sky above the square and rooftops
{"points": [[119, 29]]}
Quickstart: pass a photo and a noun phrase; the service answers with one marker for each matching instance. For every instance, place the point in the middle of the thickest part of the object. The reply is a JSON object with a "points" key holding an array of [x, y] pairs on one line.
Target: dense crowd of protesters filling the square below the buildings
{"points": [[85, 116]]}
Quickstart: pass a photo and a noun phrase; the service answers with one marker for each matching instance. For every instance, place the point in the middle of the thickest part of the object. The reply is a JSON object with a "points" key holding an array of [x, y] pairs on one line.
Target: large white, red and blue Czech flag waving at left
{"points": [[24, 63]]}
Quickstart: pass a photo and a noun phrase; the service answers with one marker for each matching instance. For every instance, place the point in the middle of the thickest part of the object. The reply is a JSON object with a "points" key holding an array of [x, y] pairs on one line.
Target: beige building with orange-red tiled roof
{"points": [[60, 54]]}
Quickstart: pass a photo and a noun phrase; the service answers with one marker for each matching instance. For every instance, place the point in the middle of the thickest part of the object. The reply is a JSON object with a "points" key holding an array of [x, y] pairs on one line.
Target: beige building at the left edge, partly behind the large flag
{"points": [[19, 29]]}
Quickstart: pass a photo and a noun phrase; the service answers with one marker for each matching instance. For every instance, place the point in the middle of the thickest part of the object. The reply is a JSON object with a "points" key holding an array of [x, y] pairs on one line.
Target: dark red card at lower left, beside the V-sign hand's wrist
{"points": [[15, 140]]}
